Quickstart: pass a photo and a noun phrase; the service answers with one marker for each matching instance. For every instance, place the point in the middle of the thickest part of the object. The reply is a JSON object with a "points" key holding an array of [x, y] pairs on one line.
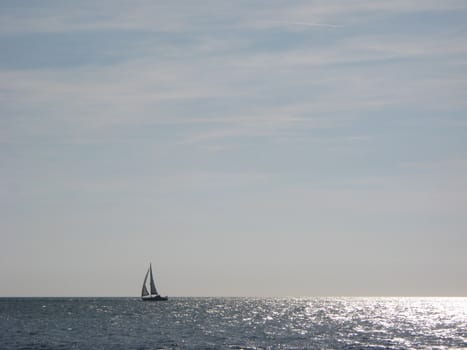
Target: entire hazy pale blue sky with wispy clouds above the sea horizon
{"points": [[245, 148]]}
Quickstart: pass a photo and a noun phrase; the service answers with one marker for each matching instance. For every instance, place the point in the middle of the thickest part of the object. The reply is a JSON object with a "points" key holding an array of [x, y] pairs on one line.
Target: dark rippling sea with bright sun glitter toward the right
{"points": [[233, 323]]}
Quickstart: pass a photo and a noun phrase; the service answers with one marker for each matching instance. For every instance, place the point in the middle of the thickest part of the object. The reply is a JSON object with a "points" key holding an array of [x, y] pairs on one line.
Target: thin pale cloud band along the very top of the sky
{"points": [[179, 16]]}
